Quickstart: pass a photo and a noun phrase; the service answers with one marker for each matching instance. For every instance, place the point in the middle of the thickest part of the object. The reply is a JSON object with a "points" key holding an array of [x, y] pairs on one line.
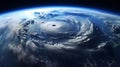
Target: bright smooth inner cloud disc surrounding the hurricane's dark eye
{"points": [[57, 29]]}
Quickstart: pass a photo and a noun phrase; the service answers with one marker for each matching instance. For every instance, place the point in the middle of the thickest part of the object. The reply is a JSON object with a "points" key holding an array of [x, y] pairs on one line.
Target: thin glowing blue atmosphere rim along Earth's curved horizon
{"points": [[58, 7]]}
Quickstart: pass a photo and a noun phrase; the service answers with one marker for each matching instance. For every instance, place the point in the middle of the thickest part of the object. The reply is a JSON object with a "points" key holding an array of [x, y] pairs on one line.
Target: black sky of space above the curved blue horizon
{"points": [[10, 5]]}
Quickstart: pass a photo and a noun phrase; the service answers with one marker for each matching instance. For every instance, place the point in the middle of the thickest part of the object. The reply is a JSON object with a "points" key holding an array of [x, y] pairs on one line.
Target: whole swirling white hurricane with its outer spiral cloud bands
{"points": [[61, 31]]}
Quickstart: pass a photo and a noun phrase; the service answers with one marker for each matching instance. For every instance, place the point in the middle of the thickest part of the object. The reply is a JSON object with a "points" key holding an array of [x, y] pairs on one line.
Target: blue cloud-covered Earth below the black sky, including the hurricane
{"points": [[59, 37]]}
